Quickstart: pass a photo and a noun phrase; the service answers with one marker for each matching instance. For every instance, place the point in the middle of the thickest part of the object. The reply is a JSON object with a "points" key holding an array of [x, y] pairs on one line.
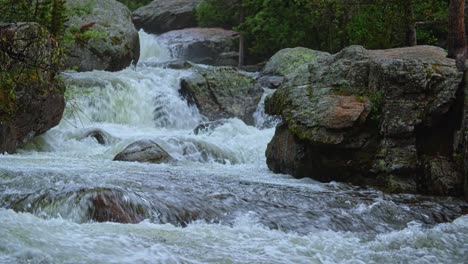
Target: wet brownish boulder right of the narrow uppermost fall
{"points": [[212, 46]]}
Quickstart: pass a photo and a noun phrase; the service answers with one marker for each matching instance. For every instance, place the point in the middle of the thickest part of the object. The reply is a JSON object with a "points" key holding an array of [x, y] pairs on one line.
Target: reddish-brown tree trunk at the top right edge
{"points": [[456, 32]]}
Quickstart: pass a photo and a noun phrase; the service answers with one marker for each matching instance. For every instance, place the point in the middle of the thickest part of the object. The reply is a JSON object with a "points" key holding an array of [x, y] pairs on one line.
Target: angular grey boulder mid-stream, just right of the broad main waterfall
{"points": [[222, 92]]}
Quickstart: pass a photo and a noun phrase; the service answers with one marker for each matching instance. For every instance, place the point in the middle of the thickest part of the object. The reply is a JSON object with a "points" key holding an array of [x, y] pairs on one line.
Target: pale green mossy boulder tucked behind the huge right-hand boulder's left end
{"points": [[287, 63]]}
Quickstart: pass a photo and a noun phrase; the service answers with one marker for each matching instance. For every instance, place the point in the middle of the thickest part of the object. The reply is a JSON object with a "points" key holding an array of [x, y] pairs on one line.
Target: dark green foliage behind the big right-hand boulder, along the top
{"points": [[327, 25]]}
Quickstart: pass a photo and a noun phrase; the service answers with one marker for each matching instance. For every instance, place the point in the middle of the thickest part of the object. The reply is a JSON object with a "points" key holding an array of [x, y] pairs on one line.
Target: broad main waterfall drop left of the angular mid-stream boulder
{"points": [[148, 97]]}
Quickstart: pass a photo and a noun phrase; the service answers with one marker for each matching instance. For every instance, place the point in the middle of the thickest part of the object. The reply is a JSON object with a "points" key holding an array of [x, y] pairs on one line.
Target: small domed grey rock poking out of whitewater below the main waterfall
{"points": [[144, 151]]}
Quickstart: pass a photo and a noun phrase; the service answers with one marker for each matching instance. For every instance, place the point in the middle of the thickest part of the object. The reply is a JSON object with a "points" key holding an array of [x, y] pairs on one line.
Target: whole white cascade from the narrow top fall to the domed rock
{"points": [[143, 102]]}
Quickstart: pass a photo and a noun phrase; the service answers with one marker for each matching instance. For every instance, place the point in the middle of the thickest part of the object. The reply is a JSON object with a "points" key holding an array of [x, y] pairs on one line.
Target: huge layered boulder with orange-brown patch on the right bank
{"points": [[386, 118]]}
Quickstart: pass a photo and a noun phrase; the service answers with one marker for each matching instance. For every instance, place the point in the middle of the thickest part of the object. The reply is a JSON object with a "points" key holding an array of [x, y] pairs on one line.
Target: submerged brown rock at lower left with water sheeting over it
{"points": [[83, 205]]}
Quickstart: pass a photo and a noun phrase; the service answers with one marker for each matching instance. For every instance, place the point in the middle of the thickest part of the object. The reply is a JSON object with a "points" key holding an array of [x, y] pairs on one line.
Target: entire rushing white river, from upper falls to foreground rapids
{"points": [[218, 203]]}
